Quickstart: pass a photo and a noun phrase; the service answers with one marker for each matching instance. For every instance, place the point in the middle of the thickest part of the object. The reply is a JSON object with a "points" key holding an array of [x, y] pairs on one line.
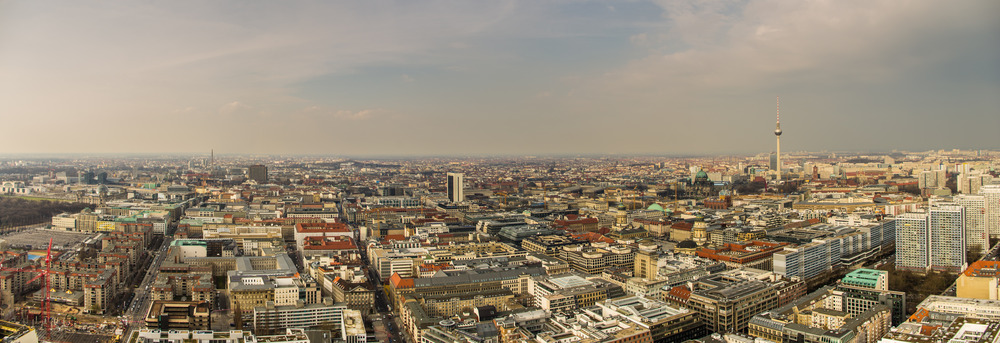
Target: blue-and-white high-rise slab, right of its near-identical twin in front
{"points": [[946, 223]]}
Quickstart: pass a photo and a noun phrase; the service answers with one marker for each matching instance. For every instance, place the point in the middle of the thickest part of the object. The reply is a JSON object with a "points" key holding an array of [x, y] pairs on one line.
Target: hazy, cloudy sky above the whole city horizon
{"points": [[496, 77]]}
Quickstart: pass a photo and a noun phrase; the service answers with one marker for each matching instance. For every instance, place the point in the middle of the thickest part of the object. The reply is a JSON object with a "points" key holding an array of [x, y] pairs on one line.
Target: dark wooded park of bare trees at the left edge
{"points": [[17, 211]]}
